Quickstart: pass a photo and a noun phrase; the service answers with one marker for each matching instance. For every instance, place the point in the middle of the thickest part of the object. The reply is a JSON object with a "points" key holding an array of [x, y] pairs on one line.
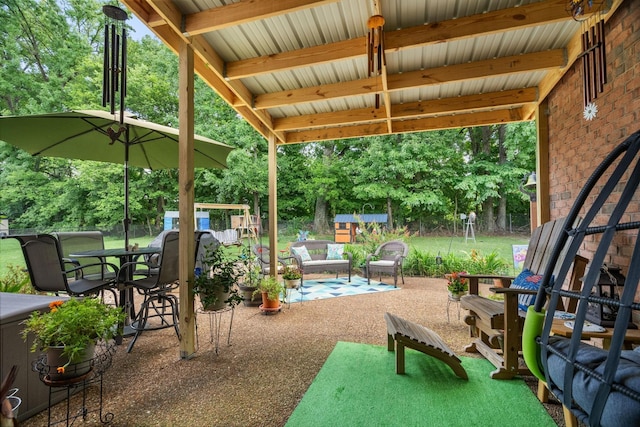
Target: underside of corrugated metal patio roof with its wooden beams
{"points": [[298, 68]]}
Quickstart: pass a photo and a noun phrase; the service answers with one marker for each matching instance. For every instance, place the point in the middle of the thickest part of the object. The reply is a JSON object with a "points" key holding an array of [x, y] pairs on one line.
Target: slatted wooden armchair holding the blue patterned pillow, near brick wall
{"points": [[498, 324]]}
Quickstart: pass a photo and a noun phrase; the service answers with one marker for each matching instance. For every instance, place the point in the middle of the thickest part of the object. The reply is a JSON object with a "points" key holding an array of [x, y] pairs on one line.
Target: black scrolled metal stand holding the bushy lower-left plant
{"points": [[99, 364]]}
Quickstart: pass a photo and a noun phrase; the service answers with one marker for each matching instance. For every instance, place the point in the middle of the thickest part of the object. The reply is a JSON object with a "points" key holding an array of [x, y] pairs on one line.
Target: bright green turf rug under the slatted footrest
{"points": [[358, 386]]}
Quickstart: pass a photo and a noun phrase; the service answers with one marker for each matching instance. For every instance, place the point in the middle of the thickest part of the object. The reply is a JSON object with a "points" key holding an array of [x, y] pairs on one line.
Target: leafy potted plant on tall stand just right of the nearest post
{"points": [[217, 282]]}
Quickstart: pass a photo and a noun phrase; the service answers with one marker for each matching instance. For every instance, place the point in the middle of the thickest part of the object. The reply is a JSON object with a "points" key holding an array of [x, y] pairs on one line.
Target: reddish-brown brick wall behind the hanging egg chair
{"points": [[577, 146]]}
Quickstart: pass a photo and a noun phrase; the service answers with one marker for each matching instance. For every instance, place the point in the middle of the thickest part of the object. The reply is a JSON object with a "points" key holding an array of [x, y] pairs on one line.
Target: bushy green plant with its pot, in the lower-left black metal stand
{"points": [[68, 333]]}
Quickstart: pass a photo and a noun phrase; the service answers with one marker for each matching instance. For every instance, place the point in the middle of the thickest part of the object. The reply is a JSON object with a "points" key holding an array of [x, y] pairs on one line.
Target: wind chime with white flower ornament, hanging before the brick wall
{"points": [[594, 61]]}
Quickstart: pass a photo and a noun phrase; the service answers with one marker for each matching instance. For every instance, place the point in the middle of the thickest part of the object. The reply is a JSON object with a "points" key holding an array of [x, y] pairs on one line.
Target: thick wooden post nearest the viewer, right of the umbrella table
{"points": [[186, 200]]}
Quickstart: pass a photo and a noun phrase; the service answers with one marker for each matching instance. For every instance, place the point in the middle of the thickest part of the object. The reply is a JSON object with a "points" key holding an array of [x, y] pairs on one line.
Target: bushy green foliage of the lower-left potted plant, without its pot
{"points": [[74, 324]]}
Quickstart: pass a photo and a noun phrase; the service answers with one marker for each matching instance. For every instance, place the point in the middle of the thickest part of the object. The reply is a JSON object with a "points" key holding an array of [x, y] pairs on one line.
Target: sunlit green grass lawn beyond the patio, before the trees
{"points": [[10, 253]]}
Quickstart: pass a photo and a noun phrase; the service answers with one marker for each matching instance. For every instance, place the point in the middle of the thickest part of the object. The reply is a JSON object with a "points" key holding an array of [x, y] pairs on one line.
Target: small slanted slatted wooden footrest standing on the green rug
{"points": [[402, 333]]}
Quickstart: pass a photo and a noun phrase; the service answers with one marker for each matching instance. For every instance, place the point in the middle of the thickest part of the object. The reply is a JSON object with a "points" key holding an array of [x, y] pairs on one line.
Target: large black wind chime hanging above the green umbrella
{"points": [[114, 74]]}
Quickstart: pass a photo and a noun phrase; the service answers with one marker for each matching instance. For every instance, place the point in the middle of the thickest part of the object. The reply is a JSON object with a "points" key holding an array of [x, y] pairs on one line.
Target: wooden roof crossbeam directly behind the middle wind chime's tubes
{"points": [[438, 32]]}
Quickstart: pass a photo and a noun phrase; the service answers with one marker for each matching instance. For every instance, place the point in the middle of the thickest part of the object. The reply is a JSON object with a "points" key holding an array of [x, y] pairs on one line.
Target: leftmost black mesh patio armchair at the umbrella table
{"points": [[49, 272]]}
